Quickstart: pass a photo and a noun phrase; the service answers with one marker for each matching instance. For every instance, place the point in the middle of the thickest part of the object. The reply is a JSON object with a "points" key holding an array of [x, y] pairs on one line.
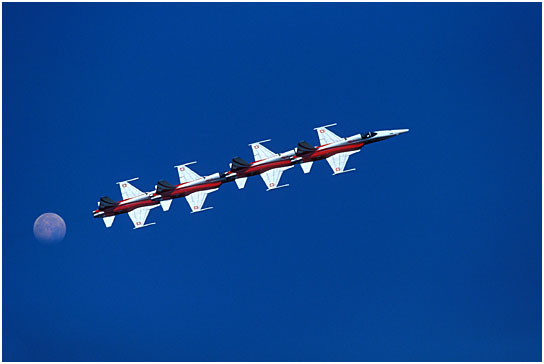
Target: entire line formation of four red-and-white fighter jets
{"points": [[267, 164]]}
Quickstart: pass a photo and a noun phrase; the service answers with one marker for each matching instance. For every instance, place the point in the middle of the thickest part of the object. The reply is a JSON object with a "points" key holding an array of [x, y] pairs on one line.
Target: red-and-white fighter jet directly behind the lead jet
{"points": [[268, 164]]}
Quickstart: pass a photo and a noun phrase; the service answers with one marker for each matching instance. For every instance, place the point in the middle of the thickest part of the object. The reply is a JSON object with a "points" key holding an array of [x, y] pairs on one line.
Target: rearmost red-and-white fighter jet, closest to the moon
{"points": [[135, 202]]}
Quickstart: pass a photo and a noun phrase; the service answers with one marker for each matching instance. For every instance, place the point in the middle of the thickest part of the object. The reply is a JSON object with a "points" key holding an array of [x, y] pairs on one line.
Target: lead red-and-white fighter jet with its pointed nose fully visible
{"points": [[336, 149]]}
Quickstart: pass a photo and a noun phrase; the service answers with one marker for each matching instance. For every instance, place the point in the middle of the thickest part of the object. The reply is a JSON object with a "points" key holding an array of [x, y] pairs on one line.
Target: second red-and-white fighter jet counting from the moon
{"points": [[192, 186]]}
